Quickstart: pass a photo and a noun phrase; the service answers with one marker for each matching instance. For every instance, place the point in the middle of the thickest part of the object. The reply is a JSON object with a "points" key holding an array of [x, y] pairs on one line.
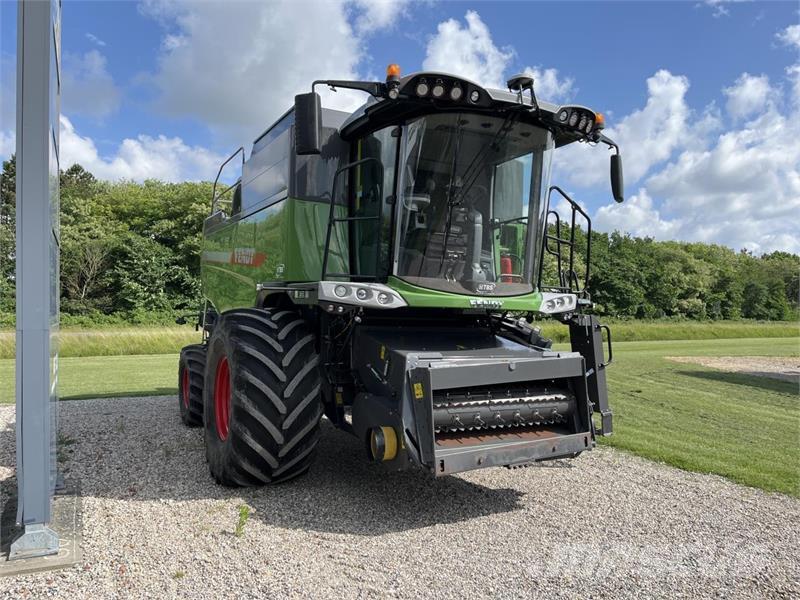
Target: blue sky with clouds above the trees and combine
{"points": [[703, 96]]}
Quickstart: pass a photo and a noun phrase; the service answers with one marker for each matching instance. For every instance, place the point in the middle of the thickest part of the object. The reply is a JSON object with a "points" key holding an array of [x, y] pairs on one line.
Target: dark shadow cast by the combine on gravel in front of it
{"points": [[344, 493]]}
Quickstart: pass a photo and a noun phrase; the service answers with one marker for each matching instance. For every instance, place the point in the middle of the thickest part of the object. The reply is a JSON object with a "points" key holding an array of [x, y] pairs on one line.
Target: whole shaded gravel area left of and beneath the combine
{"points": [[142, 453]]}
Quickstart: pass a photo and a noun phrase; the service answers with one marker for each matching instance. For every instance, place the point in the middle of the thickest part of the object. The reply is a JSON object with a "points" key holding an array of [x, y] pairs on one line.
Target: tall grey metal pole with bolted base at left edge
{"points": [[37, 280]]}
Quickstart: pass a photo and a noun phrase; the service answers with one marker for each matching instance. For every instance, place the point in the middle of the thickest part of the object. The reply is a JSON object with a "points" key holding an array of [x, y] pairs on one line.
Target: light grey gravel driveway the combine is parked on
{"points": [[604, 525]]}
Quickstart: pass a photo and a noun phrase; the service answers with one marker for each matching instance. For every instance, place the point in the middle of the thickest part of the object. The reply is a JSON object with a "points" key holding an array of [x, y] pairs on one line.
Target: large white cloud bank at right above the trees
{"points": [[732, 179]]}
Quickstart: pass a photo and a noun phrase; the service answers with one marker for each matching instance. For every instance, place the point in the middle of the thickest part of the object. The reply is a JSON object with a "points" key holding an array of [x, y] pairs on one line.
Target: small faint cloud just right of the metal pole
{"points": [[88, 88]]}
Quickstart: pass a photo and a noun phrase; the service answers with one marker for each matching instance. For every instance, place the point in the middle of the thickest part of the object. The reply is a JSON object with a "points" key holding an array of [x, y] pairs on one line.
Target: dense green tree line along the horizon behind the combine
{"points": [[131, 251]]}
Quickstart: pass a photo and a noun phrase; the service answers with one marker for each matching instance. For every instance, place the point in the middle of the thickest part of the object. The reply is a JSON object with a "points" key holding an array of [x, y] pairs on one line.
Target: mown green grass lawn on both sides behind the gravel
{"points": [[742, 427]]}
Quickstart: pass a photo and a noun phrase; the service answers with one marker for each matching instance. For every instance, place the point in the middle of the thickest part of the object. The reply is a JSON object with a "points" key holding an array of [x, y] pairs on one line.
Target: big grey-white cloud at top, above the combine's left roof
{"points": [[237, 66]]}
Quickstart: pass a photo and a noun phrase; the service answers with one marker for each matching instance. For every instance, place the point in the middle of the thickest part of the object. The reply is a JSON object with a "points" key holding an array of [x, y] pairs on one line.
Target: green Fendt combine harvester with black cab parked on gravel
{"points": [[384, 268]]}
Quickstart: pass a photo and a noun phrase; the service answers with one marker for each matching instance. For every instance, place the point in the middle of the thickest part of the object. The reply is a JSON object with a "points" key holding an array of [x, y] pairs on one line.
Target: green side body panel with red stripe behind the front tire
{"points": [[283, 242]]}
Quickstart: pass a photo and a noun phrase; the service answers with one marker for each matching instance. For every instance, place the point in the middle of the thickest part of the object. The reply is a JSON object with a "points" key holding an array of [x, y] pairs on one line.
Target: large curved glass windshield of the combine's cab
{"points": [[471, 203]]}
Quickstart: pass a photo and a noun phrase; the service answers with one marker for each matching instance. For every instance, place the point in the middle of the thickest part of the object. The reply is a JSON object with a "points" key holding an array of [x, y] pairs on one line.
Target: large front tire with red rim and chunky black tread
{"points": [[262, 402]]}
